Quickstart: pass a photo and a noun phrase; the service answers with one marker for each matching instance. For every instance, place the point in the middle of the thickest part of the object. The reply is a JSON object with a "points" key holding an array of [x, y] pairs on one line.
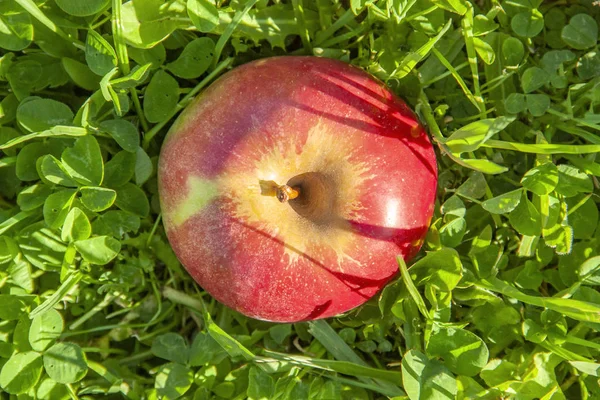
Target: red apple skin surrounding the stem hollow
{"points": [[271, 119]]}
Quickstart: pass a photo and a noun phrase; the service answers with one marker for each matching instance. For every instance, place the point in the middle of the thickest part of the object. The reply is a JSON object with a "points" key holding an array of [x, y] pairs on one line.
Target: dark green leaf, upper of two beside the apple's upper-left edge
{"points": [[195, 58]]}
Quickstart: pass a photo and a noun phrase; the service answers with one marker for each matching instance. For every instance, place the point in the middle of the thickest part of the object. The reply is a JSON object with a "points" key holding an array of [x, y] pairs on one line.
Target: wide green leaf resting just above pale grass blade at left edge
{"points": [[38, 114]]}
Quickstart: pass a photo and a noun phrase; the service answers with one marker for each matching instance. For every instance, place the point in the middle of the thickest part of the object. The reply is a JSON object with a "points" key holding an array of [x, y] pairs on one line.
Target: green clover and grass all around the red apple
{"points": [[502, 302]]}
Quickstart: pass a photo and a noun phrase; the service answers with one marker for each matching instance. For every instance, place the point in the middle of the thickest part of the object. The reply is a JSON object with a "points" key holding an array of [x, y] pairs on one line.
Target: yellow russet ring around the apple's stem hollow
{"points": [[323, 152]]}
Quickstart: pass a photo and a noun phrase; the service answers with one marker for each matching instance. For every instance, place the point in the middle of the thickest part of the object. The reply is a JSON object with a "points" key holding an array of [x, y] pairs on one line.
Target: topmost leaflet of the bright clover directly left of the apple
{"points": [[84, 162]]}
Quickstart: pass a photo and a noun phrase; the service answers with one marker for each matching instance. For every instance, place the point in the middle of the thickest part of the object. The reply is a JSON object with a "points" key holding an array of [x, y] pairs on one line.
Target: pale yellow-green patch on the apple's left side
{"points": [[199, 193]]}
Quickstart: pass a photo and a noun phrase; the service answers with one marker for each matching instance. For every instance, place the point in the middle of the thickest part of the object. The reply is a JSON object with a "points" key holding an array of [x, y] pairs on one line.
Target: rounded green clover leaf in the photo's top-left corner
{"points": [[16, 30]]}
